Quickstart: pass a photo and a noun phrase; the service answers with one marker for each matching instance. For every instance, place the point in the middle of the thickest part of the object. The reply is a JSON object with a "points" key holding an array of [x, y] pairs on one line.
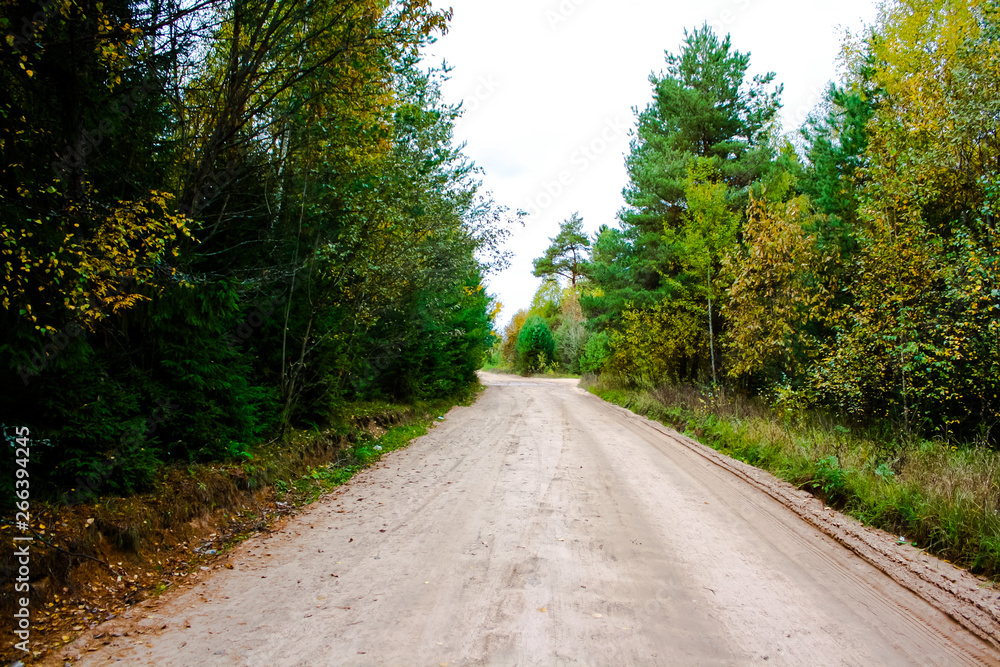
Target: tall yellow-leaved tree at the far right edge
{"points": [[921, 343]]}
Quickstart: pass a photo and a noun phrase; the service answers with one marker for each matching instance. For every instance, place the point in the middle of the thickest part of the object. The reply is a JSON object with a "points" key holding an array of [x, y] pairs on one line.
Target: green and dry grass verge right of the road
{"points": [[943, 497]]}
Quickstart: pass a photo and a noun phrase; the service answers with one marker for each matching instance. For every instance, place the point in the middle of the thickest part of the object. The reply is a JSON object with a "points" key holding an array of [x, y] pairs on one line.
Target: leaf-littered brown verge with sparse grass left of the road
{"points": [[91, 561]]}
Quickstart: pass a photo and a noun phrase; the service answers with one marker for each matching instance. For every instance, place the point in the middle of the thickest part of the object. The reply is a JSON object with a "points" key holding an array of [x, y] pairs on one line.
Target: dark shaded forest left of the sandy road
{"points": [[223, 221]]}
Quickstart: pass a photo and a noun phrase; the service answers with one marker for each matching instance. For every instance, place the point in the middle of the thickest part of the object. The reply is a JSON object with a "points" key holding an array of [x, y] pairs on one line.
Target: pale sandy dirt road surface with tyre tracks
{"points": [[542, 526]]}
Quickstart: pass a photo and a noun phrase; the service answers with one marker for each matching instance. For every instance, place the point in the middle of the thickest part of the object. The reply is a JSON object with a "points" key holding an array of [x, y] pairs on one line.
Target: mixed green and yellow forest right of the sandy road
{"points": [[850, 264]]}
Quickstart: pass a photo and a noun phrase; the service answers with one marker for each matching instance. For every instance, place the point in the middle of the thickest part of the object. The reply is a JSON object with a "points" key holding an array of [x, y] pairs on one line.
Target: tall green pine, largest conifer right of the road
{"points": [[698, 146]]}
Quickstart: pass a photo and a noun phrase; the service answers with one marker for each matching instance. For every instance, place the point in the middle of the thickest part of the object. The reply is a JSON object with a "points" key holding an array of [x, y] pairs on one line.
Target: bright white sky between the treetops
{"points": [[549, 88]]}
